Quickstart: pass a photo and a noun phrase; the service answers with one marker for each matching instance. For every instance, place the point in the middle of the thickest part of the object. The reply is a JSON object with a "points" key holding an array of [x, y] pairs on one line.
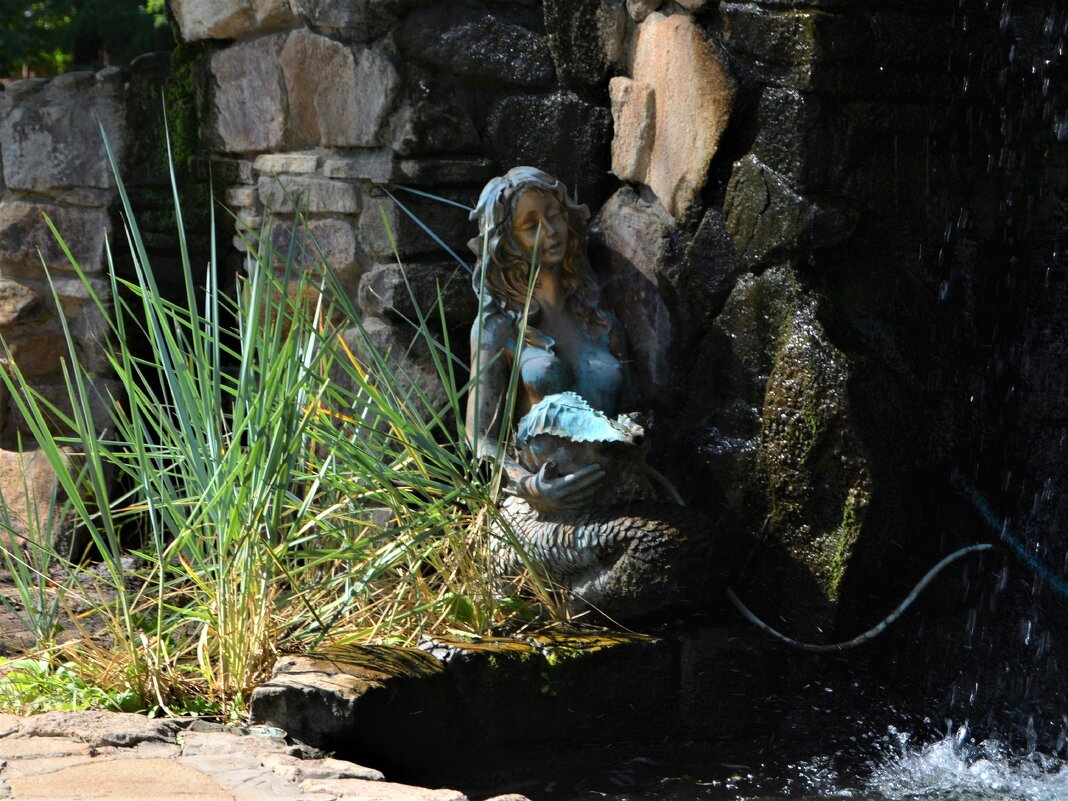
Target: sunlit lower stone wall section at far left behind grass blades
{"points": [[54, 163]]}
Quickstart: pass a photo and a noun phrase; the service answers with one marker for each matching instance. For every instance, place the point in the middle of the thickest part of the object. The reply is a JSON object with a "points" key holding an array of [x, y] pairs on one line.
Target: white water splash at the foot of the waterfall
{"points": [[960, 769]]}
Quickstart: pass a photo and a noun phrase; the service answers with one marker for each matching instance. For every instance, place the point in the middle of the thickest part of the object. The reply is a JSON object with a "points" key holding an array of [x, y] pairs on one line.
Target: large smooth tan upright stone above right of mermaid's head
{"points": [[694, 93]]}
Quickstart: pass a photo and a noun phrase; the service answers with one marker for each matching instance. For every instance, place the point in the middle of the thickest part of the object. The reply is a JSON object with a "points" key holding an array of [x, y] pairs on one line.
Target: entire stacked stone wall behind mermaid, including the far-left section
{"points": [[773, 183]]}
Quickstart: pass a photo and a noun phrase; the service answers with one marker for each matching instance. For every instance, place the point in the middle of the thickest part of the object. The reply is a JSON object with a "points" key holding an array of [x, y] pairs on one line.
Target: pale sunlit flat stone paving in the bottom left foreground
{"points": [[77, 757]]}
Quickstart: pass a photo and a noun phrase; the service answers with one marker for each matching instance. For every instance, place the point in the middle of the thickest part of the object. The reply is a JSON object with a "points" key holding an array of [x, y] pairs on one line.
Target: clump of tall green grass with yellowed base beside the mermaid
{"points": [[268, 481]]}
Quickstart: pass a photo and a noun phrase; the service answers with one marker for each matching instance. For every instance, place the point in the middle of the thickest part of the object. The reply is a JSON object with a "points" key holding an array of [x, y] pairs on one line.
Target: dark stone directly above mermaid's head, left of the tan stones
{"points": [[526, 130]]}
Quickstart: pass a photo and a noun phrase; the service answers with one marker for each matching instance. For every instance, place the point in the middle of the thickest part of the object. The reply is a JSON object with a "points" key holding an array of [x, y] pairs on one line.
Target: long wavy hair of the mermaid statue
{"points": [[508, 268]]}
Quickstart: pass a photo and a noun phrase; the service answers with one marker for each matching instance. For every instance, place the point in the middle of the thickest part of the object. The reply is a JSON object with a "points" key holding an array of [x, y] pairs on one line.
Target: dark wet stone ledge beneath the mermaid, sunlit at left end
{"points": [[520, 705]]}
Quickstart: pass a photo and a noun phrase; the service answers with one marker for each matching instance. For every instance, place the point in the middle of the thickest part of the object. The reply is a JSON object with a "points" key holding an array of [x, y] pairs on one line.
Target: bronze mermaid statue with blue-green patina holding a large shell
{"points": [[553, 403]]}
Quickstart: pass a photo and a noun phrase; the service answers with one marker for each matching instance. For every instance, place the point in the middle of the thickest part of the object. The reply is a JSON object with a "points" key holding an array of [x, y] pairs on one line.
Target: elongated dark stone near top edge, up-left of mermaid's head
{"points": [[477, 45]]}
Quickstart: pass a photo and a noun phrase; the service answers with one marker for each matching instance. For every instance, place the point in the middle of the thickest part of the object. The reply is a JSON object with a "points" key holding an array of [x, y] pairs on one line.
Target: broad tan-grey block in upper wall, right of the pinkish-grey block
{"points": [[350, 109]]}
